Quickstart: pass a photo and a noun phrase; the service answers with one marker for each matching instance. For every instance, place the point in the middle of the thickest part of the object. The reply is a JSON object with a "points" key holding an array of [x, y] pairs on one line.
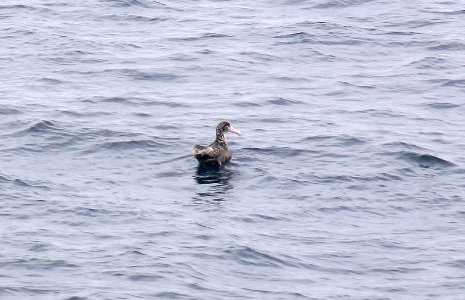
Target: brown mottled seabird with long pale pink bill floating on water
{"points": [[218, 151]]}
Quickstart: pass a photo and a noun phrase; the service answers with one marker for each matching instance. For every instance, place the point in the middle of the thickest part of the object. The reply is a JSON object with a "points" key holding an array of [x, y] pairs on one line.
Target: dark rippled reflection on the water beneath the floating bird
{"points": [[214, 178]]}
